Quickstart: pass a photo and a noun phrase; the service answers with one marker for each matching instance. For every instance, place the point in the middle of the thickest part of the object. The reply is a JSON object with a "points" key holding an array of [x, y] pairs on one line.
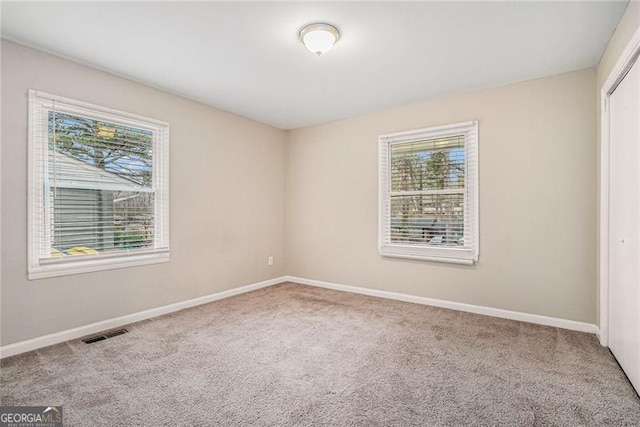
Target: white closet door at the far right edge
{"points": [[624, 228]]}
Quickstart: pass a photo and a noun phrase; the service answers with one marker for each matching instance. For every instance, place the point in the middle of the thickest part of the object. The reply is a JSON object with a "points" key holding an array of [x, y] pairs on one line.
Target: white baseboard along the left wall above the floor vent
{"points": [[71, 334]]}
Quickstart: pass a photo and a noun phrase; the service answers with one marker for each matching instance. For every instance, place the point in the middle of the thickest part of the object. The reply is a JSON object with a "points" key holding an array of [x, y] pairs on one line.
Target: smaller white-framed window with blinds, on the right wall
{"points": [[428, 200]]}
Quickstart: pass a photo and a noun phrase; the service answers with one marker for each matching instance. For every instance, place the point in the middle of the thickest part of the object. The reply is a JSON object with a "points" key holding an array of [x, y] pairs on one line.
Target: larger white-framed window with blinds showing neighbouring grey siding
{"points": [[98, 188]]}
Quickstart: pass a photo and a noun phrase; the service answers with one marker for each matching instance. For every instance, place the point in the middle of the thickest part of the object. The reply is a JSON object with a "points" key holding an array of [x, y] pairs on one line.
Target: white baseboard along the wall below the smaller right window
{"points": [[477, 309]]}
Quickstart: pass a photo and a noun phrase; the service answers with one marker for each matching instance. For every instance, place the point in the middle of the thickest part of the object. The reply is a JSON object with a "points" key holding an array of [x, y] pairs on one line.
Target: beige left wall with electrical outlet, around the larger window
{"points": [[227, 202]]}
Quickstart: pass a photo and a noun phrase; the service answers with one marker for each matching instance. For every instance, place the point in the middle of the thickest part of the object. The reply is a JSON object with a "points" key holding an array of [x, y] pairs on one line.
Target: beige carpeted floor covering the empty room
{"points": [[292, 355]]}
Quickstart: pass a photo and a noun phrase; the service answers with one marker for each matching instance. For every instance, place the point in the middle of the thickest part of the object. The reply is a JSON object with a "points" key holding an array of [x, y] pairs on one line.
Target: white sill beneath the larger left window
{"points": [[88, 266]]}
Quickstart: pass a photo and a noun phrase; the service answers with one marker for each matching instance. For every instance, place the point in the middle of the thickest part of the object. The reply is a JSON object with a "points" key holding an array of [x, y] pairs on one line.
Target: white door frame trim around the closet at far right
{"points": [[626, 60]]}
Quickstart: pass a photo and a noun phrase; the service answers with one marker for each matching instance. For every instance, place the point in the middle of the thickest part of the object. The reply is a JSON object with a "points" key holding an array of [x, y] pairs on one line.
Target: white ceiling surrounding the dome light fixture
{"points": [[246, 57]]}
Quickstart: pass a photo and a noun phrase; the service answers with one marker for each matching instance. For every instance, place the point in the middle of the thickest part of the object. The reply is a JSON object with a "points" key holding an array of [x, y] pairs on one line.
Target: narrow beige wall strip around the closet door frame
{"points": [[627, 27]]}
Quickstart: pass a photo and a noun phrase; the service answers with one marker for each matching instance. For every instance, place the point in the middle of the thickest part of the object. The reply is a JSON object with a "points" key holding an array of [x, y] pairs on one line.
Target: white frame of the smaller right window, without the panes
{"points": [[465, 255]]}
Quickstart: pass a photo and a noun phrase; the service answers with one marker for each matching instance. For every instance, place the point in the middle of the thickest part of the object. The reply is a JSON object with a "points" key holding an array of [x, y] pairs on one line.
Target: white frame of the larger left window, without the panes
{"points": [[39, 268]]}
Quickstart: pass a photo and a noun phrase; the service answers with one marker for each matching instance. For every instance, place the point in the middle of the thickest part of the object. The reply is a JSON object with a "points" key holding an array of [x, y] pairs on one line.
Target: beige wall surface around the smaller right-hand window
{"points": [[537, 200]]}
